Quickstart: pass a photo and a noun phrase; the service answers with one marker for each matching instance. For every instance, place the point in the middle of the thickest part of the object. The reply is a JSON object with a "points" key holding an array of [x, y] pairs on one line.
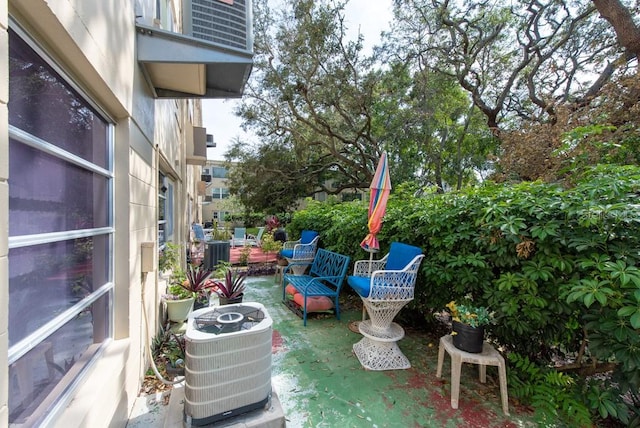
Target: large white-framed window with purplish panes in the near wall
{"points": [[60, 234]]}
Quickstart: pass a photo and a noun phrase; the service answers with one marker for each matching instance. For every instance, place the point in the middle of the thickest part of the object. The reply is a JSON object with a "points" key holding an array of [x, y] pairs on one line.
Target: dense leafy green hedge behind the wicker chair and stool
{"points": [[557, 265]]}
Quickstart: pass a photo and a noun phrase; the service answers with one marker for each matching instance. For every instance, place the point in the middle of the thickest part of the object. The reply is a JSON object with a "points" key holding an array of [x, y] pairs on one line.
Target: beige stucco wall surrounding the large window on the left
{"points": [[94, 41]]}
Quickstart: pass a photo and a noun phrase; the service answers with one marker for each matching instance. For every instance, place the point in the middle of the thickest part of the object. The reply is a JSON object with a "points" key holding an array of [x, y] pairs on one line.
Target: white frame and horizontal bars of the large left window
{"points": [[46, 411]]}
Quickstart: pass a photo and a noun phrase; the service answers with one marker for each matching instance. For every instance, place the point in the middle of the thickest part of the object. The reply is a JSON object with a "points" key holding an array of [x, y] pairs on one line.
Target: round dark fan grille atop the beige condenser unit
{"points": [[227, 320]]}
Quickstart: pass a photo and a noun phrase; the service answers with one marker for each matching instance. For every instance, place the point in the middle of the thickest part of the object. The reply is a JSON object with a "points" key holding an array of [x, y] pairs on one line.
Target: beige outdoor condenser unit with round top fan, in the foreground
{"points": [[228, 362]]}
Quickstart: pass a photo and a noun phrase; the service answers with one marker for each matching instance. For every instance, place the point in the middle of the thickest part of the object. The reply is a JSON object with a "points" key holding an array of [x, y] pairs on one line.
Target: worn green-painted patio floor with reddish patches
{"points": [[320, 382]]}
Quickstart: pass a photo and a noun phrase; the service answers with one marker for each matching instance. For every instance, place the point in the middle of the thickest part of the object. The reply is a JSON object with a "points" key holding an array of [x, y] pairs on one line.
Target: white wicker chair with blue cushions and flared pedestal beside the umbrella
{"points": [[385, 287]]}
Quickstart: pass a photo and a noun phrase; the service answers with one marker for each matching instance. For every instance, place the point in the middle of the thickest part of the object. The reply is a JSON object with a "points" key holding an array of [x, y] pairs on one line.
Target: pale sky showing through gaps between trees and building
{"points": [[370, 17]]}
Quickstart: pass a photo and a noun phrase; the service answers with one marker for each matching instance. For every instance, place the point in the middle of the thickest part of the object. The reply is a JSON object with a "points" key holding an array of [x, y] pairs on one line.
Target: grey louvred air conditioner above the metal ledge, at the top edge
{"points": [[226, 22]]}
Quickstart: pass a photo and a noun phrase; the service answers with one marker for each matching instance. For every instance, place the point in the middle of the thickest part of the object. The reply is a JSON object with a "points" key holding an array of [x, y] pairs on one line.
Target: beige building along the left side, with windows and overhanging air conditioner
{"points": [[101, 161]]}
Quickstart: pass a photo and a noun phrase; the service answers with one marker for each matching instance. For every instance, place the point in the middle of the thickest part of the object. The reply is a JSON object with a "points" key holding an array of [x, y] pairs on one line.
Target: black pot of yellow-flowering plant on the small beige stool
{"points": [[468, 322]]}
